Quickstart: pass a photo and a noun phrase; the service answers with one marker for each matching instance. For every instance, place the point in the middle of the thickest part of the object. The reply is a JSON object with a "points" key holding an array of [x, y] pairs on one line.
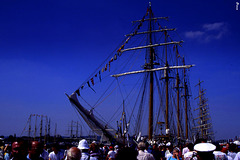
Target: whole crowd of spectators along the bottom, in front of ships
{"points": [[34, 150]]}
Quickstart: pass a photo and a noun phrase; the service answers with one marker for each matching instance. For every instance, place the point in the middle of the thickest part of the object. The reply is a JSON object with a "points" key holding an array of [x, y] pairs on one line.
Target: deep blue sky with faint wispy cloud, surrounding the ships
{"points": [[48, 48]]}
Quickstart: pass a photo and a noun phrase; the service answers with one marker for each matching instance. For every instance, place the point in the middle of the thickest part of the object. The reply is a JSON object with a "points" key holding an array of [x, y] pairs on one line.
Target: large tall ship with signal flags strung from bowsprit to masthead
{"points": [[141, 89]]}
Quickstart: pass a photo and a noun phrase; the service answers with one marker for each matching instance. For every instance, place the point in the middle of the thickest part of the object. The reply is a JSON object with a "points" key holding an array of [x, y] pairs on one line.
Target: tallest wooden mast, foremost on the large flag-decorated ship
{"points": [[150, 123]]}
